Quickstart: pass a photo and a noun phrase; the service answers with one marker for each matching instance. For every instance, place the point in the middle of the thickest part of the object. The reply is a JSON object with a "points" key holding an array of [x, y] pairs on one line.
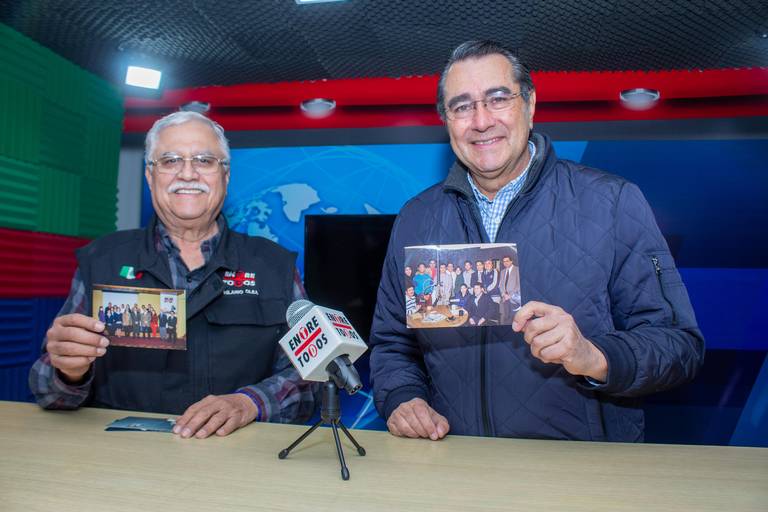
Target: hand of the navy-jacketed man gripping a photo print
{"points": [[554, 337]]}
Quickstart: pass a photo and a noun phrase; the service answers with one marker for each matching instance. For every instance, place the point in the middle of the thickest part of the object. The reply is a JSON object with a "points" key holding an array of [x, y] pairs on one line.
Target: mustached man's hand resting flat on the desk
{"points": [[219, 414]]}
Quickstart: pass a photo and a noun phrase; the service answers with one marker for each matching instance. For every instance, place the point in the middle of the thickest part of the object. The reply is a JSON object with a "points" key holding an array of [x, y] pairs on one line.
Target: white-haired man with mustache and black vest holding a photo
{"points": [[237, 287]]}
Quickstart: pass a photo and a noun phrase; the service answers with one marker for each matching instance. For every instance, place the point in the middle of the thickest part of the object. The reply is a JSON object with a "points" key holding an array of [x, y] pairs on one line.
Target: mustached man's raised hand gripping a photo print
{"points": [[73, 343]]}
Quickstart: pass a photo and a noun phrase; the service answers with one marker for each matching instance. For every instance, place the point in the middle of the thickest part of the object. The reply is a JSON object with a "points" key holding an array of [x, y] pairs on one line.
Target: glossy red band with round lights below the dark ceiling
{"points": [[388, 102]]}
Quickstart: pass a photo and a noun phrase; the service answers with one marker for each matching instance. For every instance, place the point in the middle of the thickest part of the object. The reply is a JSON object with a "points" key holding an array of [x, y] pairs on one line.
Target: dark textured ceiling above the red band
{"points": [[207, 42]]}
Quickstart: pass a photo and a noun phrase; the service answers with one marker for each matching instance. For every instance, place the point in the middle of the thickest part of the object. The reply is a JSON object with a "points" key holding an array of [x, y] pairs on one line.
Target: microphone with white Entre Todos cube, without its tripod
{"points": [[322, 345]]}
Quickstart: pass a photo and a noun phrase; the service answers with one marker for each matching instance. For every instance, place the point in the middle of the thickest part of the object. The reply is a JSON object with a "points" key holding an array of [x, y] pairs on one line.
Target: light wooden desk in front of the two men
{"points": [[65, 461]]}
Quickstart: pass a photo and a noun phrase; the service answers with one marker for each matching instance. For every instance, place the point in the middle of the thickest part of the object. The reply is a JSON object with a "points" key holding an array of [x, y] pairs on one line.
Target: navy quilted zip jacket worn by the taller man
{"points": [[587, 242]]}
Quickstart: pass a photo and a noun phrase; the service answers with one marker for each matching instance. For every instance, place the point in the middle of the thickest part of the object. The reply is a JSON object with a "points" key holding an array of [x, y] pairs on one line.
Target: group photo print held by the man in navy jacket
{"points": [[466, 285]]}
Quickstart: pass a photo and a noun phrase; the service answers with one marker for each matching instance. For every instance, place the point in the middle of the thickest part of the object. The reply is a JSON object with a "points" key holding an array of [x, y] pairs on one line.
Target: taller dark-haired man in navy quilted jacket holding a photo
{"points": [[605, 316]]}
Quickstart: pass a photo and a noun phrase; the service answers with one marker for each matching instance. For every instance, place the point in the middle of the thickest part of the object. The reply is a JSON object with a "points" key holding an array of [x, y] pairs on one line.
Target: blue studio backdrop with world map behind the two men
{"points": [[710, 201]]}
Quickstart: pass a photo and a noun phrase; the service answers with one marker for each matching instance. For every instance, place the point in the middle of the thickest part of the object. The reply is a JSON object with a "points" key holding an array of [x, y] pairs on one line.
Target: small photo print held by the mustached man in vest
{"points": [[142, 317]]}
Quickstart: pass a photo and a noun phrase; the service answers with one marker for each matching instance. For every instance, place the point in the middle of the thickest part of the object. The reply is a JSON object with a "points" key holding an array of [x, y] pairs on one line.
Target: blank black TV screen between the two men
{"points": [[343, 256]]}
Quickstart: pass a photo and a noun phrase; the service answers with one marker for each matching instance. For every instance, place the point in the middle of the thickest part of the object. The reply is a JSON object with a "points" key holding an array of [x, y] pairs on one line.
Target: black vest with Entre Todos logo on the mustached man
{"points": [[231, 335]]}
